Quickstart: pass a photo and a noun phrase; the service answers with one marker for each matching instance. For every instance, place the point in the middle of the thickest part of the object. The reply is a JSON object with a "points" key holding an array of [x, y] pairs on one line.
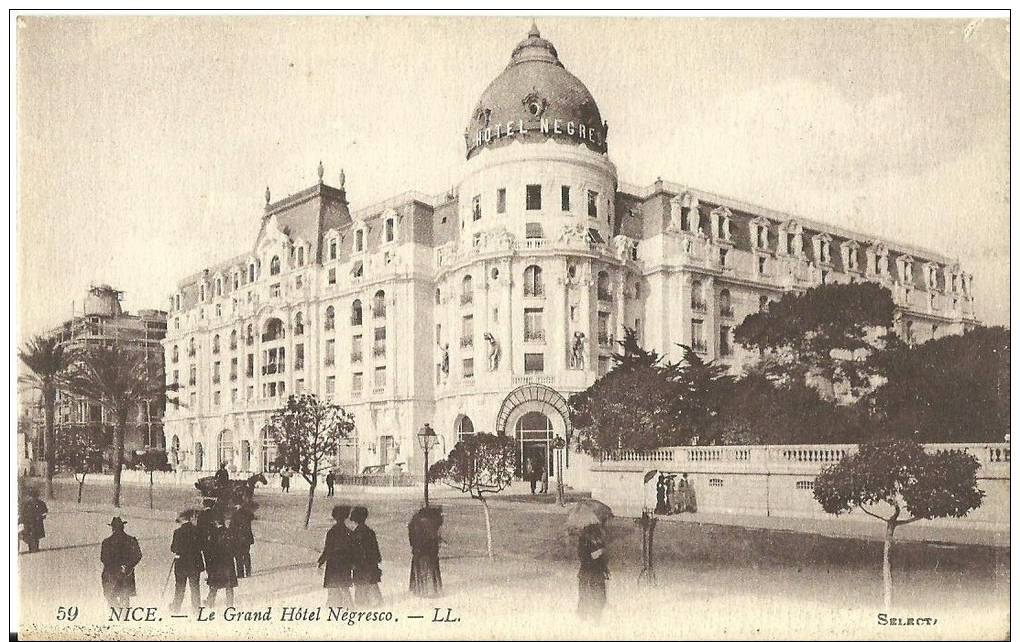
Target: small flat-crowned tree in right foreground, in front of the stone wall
{"points": [[892, 479]]}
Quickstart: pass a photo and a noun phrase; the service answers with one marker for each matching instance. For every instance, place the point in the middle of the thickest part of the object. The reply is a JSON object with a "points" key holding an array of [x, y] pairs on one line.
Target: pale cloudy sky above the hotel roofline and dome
{"points": [[146, 144]]}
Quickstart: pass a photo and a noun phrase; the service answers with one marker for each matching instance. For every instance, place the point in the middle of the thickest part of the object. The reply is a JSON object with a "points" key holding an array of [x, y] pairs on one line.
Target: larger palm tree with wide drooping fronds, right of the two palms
{"points": [[121, 380]]}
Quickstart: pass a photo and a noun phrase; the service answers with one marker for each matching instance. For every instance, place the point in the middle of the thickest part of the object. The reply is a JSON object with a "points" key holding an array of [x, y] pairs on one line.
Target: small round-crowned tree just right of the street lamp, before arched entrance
{"points": [[481, 464]]}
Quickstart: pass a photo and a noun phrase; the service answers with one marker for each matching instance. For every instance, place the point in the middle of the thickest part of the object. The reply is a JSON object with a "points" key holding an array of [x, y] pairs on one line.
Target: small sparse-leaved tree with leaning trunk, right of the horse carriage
{"points": [[309, 433]]}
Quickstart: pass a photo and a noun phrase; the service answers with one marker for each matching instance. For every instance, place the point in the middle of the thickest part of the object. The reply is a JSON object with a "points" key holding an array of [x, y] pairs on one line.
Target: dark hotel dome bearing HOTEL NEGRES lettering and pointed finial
{"points": [[536, 95]]}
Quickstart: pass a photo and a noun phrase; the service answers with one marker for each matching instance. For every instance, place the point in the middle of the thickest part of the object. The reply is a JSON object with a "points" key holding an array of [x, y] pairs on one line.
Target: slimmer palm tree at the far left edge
{"points": [[48, 361]]}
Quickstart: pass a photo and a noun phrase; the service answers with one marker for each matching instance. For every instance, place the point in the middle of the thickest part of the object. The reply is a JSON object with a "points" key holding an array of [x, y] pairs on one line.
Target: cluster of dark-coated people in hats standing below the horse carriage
{"points": [[217, 540]]}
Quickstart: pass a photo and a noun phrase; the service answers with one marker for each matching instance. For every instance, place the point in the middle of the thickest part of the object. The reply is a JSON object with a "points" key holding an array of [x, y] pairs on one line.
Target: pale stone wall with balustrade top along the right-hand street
{"points": [[775, 481]]}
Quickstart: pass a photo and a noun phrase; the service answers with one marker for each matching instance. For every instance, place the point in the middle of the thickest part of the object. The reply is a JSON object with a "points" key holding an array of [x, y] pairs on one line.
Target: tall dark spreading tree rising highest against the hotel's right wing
{"points": [[827, 332]]}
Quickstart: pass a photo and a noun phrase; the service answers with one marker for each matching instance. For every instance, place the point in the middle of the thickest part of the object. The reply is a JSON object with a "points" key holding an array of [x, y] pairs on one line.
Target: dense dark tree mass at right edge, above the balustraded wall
{"points": [[953, 389]]}
